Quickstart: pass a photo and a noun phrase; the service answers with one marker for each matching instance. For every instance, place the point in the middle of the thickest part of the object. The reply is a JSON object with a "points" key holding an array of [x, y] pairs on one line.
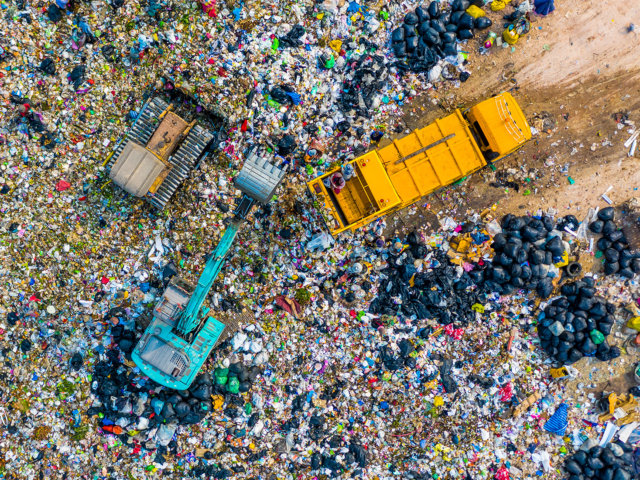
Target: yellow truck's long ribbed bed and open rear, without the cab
{"points": [[400, 173]]}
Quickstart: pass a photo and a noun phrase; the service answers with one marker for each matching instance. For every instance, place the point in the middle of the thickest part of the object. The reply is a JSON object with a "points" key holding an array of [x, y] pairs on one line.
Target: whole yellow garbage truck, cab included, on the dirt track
{"points": [[382, 181]]}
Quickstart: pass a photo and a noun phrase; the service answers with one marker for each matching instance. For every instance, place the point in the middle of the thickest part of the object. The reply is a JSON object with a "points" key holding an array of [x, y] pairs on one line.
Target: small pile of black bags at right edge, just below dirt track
{"points": [[618, 257]]}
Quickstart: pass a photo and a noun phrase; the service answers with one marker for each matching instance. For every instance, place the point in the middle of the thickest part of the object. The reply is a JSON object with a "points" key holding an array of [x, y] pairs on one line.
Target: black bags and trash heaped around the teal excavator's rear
{"points": [[130, 403]]}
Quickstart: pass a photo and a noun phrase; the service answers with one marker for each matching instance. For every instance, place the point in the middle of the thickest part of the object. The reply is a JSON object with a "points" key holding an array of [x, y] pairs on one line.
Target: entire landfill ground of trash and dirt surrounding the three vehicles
{"points": [[410, 348]]}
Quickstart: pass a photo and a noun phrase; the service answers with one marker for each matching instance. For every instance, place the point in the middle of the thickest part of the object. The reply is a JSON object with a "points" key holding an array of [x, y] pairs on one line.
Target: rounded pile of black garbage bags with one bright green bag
{"points": [[577, 323]]}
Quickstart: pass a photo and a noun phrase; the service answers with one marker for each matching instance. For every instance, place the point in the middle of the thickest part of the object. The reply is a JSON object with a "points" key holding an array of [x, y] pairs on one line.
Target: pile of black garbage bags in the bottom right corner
{"points": [[611, 462]]}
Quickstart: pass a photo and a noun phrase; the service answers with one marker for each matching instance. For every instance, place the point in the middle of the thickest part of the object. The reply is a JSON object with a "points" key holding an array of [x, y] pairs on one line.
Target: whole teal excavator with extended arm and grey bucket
{"points": [[181, 335]]}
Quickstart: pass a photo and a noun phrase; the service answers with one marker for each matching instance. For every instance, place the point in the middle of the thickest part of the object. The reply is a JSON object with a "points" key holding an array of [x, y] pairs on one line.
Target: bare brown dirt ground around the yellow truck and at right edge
{"points": [[575, 75]]}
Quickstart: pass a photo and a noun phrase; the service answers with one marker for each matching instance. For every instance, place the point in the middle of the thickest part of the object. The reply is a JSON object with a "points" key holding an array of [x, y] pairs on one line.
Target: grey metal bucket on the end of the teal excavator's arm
{"points": [[259, 178]]}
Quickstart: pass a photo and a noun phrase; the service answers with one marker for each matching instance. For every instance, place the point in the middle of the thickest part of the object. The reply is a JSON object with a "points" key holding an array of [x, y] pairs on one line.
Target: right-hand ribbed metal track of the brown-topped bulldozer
{"points": [[183, 162]]}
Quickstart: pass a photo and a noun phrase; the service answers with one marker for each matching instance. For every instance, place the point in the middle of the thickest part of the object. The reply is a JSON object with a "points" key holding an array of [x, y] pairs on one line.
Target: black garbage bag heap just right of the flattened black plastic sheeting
{"points": [[524, 253]]}
